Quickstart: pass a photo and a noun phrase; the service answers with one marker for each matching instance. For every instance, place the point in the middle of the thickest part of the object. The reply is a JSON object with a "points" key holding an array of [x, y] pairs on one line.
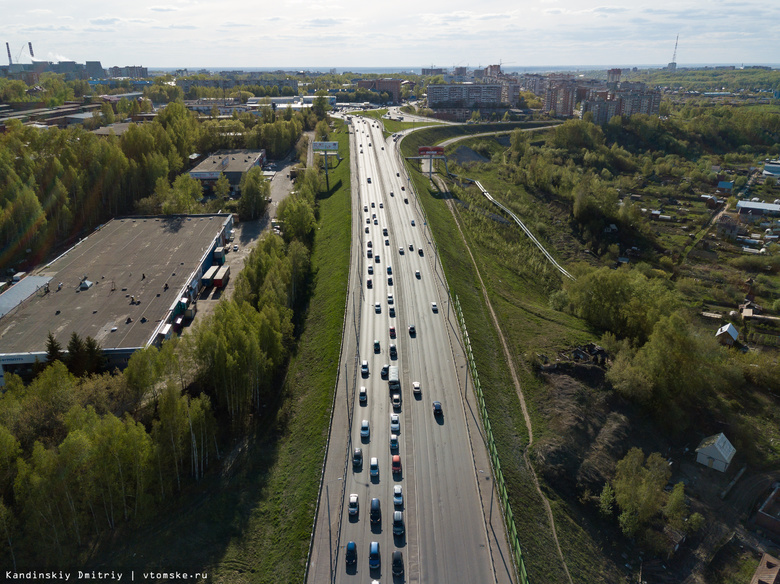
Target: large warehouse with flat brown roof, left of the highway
{"points": [[132, 283]]}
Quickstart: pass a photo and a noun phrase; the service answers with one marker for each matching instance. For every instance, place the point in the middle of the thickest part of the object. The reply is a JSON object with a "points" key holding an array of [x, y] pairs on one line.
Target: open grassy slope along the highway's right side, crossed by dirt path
{"points": [[520, 300]]}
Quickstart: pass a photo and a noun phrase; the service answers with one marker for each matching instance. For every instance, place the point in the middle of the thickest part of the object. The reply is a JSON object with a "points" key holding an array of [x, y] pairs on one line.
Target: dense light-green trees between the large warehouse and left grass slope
{"points": [[80, 456]]}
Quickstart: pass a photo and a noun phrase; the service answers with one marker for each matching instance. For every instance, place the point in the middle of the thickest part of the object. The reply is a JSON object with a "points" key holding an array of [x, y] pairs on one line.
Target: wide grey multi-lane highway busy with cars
{"points": [[451, 534]]}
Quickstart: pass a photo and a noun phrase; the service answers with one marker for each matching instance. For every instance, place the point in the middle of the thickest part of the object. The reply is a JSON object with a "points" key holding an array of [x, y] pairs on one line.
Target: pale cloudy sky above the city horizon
{"points": [[360, 33]]}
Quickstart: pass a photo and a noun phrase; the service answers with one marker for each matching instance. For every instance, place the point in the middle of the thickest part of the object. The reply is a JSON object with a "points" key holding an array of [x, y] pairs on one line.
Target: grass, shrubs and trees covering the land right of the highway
{"points": [[582, 189]]}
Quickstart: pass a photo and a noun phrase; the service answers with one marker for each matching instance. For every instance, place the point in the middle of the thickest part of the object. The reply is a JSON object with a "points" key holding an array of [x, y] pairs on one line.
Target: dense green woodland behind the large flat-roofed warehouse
{"points": [[57, 185]]}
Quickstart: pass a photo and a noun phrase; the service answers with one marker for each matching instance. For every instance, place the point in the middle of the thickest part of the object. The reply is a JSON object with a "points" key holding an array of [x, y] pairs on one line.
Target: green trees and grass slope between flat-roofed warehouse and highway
{"points": [[195, 442]]}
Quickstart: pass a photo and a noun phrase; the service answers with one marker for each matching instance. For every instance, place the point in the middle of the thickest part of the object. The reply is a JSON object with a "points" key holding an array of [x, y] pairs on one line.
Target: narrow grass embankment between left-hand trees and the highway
{"points": [[253, 522]]}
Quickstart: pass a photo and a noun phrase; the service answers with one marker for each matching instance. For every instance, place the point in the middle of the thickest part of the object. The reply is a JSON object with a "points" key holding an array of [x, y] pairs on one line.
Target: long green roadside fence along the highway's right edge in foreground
{"points": [[498, 476]]}
